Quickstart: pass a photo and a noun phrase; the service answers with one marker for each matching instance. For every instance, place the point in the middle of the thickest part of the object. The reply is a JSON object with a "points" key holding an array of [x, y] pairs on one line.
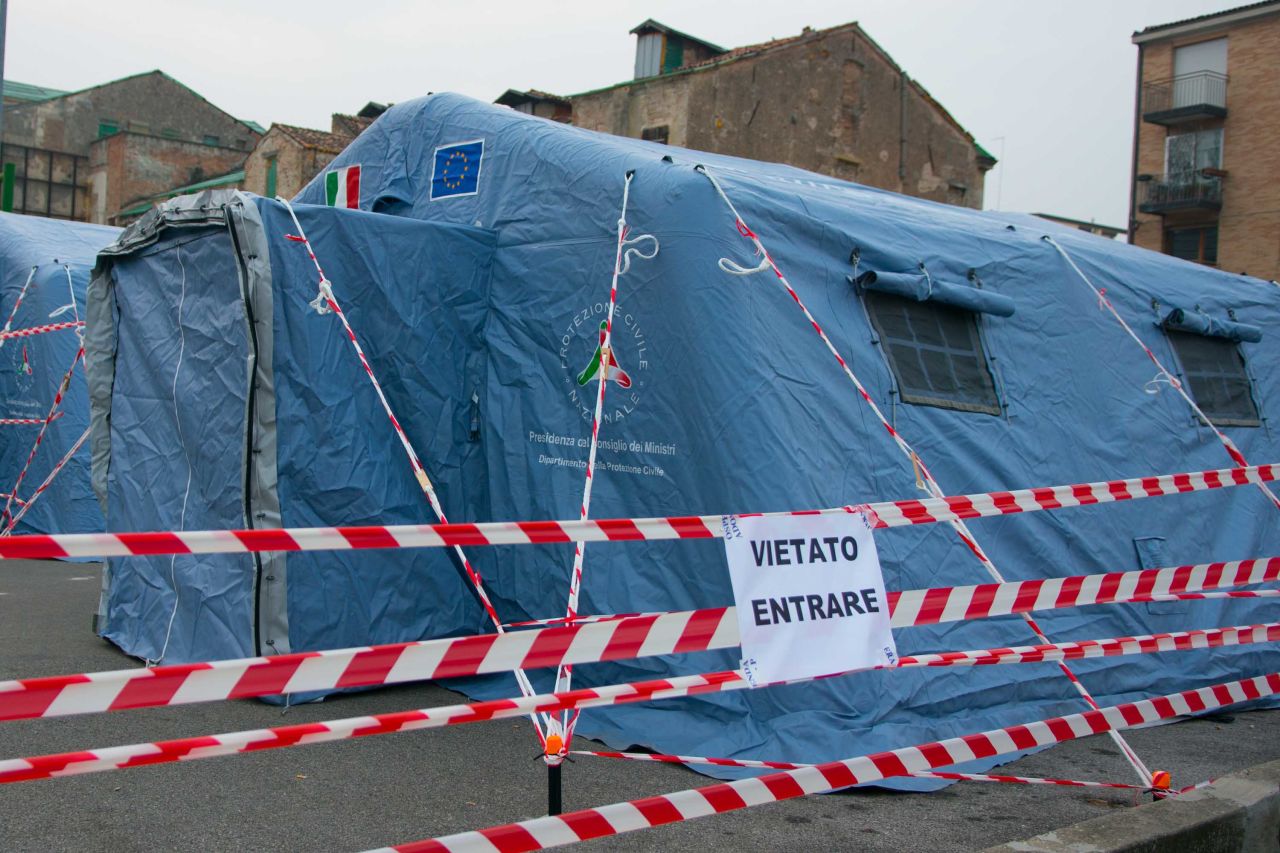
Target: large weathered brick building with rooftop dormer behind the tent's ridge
{"points": [[826, 101]]}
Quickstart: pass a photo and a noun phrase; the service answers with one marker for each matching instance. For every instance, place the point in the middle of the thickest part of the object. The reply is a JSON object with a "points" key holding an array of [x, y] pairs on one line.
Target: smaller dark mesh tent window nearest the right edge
{"points": [[1214, 370]]}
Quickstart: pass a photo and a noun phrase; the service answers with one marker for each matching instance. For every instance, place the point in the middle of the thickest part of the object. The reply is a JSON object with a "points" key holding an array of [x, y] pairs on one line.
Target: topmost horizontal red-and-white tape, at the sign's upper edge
{"points": [[889, 514]]}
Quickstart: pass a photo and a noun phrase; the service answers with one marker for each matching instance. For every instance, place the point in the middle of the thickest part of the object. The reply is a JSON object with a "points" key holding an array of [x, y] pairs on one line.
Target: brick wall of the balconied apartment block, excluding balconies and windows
{"points": [[1249, 225]]}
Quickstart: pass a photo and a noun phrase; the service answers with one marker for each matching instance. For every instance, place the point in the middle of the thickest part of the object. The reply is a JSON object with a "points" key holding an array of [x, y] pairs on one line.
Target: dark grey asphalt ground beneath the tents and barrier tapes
{"points": [[359, 795]]}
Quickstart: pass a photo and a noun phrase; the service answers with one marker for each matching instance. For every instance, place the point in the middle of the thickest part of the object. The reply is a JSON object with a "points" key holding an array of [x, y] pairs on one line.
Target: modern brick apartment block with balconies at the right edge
{"points": [[1208, 140]]}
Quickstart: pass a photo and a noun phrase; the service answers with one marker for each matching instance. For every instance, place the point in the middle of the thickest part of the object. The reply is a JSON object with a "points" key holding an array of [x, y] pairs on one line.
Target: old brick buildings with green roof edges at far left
{"points": [[94, 153]]}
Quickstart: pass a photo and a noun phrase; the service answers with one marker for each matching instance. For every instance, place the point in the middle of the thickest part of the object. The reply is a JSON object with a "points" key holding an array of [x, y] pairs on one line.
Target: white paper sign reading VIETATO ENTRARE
{"points": [[810, 594]]}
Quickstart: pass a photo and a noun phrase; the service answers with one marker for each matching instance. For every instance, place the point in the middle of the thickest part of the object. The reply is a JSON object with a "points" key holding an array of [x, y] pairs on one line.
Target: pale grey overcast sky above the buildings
{"points": [[1048, 86]]}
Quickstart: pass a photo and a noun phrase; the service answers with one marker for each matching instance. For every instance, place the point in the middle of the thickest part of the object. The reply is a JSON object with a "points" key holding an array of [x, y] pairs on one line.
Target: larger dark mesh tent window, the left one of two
{"points": [[935, 353]]}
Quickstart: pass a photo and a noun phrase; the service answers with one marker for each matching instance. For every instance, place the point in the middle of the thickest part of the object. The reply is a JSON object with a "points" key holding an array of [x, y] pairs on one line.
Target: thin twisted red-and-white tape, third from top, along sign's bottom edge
{"points": [[240, 742]]}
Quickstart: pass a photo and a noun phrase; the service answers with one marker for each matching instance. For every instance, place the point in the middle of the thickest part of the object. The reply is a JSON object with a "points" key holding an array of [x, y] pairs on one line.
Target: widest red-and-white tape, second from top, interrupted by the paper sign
{"points": [[628, 638]]}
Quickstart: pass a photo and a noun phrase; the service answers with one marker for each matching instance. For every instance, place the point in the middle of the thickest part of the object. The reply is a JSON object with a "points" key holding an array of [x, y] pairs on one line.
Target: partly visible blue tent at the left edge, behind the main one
{"points": [[51, 259]]}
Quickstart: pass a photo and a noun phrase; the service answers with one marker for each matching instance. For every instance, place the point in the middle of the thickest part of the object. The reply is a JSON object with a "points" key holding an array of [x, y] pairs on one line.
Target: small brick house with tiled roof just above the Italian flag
{"points": [[289, 157]]}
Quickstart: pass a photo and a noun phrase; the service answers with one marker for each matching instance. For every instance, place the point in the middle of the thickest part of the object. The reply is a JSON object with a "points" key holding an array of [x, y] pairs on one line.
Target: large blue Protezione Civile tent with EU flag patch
{"points": [[477, 271]]}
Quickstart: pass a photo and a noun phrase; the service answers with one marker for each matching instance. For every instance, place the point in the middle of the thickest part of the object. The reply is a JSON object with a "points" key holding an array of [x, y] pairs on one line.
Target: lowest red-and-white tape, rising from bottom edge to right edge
{"points": [[712, 800]]}
